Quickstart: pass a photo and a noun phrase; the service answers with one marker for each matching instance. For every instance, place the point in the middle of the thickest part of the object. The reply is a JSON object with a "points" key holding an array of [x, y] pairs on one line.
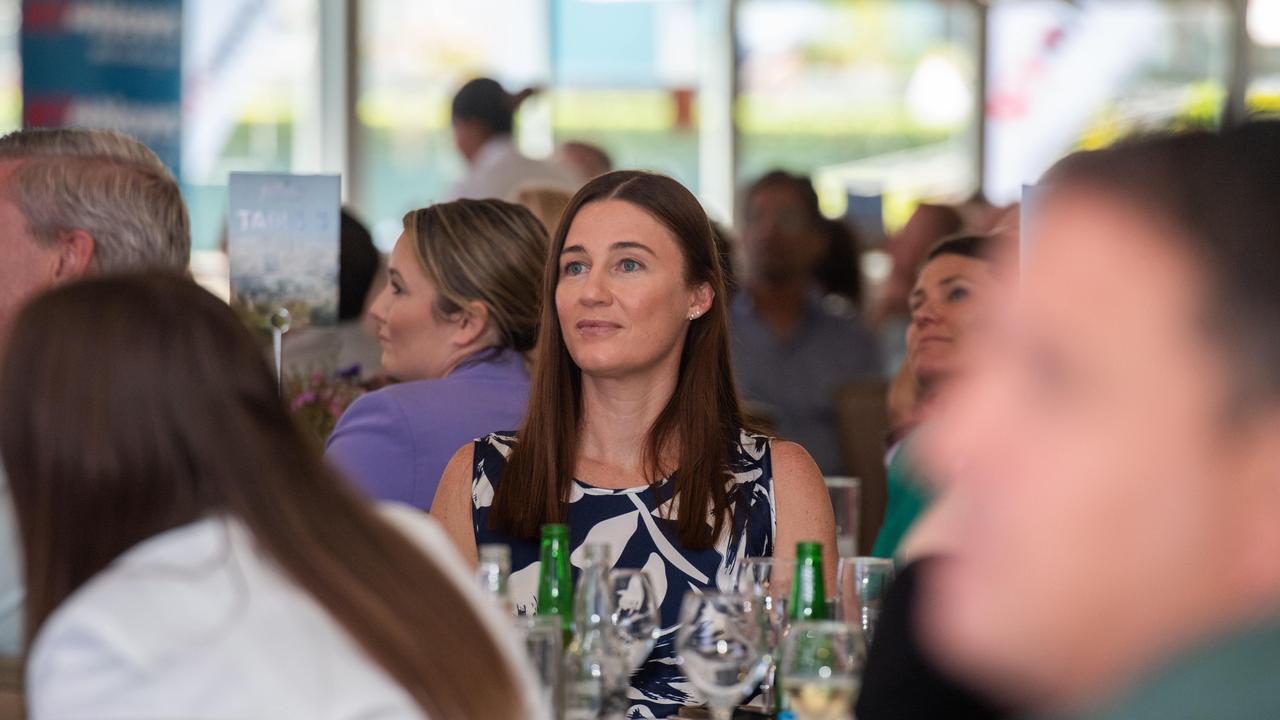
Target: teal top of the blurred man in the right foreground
{"points": [[1232, 678]]}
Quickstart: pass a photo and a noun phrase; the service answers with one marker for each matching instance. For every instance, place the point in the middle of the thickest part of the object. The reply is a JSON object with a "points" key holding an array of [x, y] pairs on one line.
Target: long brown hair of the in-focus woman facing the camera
{"points": [[702, 420]]}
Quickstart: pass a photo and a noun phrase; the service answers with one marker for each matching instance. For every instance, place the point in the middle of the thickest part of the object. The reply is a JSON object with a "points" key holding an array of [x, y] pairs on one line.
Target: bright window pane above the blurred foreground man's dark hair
{"points": [[1084, 74]]}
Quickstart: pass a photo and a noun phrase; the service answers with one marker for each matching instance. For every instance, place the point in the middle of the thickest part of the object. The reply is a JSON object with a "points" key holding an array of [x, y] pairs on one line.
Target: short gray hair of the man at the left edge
{"points": [[106, 184]]}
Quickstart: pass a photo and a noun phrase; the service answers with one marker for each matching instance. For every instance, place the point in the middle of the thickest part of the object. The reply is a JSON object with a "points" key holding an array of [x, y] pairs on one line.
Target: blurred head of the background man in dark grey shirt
{"points": [[783, 231]]}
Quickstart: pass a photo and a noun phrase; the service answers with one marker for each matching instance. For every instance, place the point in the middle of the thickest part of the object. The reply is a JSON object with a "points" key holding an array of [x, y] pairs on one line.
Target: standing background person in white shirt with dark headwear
{"points": [[483, 121]]}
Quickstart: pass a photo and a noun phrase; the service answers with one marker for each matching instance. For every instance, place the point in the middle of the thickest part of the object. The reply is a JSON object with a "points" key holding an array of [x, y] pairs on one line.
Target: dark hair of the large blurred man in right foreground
{"points": [[1219, 198]]}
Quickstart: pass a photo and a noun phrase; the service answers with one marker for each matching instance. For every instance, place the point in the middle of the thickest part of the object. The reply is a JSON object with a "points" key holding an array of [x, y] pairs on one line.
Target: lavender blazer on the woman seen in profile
{"points": [[396, 443]]}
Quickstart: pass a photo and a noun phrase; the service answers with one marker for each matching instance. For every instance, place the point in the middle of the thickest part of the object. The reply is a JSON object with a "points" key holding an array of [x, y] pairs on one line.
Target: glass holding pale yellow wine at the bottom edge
{"points": [[822, 668]]}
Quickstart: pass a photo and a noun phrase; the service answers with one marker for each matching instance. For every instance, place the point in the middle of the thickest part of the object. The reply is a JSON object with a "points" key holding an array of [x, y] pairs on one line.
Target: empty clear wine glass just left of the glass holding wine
{"points": [[721, 650]]}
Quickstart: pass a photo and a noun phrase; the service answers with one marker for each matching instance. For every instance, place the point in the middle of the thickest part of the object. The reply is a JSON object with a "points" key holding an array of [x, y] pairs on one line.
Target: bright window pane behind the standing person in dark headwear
{"points": [[413, 56]]}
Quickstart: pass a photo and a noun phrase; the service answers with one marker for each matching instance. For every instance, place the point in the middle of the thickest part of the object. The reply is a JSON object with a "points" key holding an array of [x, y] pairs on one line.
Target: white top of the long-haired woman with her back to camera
{"points": [[196, 625]]}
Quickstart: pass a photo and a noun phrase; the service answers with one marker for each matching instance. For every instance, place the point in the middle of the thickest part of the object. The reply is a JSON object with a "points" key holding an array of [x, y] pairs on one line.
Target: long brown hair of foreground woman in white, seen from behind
{"points": [[132, 405]]}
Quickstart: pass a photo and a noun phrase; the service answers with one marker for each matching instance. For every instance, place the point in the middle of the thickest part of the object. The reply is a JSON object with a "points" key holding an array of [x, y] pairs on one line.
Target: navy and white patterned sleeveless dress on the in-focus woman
{"points": [[633, 523]]}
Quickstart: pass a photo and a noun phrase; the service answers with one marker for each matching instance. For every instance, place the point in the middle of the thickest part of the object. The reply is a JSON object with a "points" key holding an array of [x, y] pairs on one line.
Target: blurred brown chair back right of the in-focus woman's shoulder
{"points": [[862, 423]]}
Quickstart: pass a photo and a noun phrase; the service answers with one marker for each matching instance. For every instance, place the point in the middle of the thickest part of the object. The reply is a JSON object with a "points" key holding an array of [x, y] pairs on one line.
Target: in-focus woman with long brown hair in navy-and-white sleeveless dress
{"points": [[634, 434]]}
